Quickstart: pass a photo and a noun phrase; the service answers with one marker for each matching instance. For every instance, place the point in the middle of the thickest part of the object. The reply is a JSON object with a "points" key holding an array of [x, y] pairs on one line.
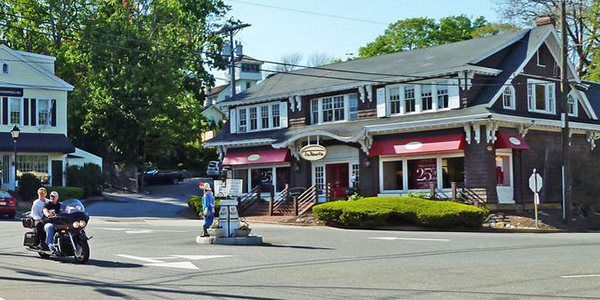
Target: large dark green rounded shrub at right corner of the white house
{"points": [[89, 177]]}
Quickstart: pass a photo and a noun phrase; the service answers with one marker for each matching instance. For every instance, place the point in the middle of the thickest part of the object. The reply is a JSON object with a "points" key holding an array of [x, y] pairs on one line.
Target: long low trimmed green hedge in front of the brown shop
{"points": [[378, 211]]}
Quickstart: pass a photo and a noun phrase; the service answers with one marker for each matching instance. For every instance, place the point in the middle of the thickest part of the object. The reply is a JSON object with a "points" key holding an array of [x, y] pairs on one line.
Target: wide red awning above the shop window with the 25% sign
{"points": [[419, 145]]}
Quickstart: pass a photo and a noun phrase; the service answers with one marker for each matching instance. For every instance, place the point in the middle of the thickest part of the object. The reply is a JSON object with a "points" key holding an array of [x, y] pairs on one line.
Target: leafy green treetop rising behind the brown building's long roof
{"points": [[415, 33]]}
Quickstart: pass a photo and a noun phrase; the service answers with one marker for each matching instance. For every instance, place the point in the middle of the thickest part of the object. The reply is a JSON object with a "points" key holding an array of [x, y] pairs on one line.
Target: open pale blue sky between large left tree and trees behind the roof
{"points": [[276, 32]]}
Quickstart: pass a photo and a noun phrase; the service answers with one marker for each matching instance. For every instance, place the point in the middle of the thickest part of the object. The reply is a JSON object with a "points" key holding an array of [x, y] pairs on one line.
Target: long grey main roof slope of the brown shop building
{"points": [[421, 62]]}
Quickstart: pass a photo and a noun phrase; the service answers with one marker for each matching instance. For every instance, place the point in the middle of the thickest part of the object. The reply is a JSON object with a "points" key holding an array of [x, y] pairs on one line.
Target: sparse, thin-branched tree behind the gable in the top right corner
{"points": [[583, 18]]}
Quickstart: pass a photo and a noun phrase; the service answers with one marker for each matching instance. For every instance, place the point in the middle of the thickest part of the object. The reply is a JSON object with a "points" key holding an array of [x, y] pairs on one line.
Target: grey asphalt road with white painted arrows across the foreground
{"points": [[141, 254]]}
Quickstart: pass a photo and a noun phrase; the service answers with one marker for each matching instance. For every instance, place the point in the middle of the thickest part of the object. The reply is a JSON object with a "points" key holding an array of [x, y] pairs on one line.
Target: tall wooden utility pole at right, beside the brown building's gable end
{"points": [[566, 169]]}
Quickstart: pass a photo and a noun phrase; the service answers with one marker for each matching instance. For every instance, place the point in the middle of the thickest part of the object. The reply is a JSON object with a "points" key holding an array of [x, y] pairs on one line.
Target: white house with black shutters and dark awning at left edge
{"points": [[33, 99]]}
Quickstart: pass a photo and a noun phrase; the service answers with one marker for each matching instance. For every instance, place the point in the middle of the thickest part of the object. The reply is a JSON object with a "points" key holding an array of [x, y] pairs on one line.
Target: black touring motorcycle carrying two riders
{"points": [[69, 237]]}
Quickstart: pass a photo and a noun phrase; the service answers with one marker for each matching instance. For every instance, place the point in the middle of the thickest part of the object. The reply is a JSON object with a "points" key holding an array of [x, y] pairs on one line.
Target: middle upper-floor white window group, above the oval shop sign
{"points": [[330, 109]]}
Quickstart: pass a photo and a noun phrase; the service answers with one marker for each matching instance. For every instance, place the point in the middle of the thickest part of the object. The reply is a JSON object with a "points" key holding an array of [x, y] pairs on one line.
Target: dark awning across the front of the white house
{"points": [[37, 142]]}
